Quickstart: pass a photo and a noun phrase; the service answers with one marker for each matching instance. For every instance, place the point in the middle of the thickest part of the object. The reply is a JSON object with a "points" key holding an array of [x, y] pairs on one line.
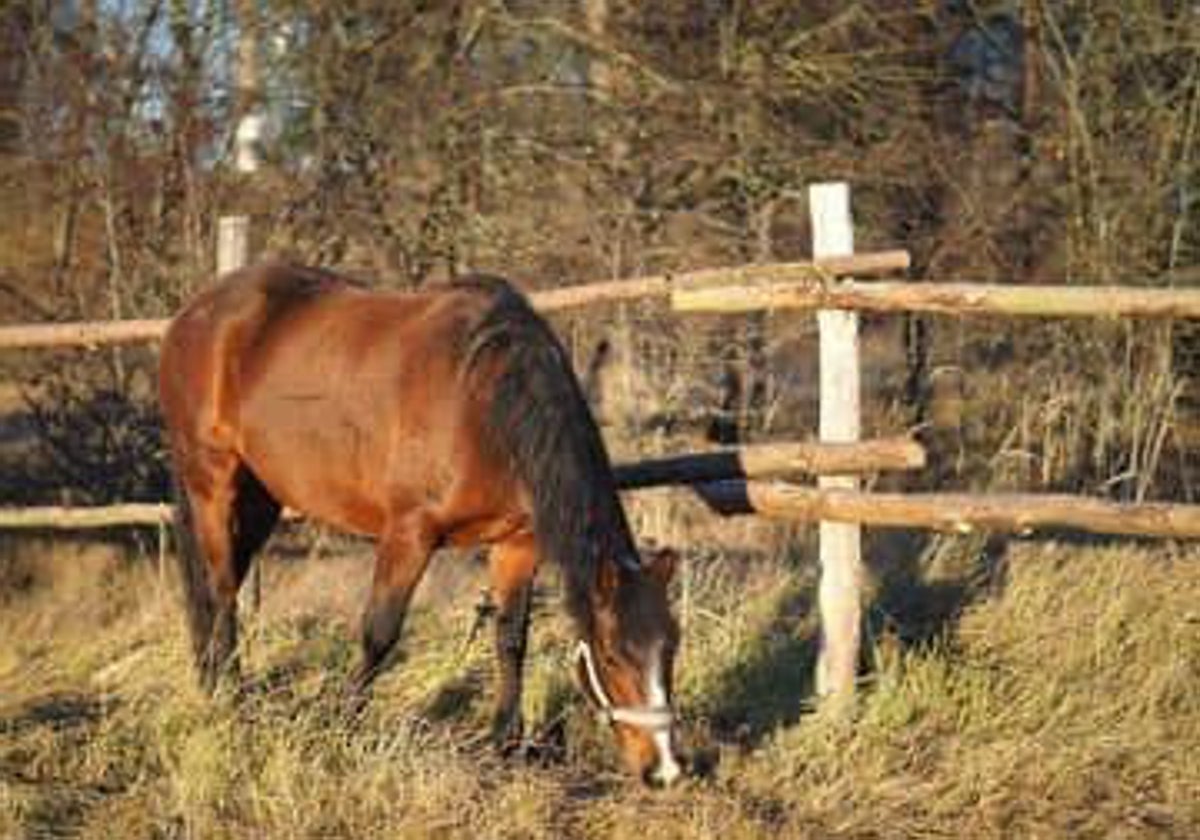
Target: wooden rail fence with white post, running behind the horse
{"points": [[746, 481]]}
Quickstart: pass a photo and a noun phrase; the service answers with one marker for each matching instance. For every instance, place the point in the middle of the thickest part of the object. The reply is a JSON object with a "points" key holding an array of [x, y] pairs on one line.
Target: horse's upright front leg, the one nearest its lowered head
{"points": [[512, 566]]}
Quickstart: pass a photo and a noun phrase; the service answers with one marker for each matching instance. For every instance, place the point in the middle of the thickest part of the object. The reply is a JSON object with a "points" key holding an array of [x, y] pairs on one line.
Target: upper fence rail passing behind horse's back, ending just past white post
{"points": [[93, 334]]}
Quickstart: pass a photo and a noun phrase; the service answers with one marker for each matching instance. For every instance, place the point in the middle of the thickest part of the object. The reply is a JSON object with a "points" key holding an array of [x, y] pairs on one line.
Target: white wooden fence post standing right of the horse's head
{"points": [[841, 550]]}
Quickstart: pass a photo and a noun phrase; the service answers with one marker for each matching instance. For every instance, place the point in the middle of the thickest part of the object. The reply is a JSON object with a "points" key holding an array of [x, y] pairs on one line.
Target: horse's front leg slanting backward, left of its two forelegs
{"points": [[403, 557]]}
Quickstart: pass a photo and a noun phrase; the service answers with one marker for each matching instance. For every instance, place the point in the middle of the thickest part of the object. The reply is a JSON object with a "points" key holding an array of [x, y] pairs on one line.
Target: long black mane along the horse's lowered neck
{"points": [[538, 416]]}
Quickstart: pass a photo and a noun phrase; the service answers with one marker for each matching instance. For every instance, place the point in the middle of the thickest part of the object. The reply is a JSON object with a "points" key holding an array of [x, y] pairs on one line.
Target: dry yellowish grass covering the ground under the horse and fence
{"points": [[1061, 704]]}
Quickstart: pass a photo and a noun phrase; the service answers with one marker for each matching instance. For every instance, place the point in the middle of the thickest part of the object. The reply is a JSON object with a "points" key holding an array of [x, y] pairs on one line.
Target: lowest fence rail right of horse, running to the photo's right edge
{"points": [[956, 513]]}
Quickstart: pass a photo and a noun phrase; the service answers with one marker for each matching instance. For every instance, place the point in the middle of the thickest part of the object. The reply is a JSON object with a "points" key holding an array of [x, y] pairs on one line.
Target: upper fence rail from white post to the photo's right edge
{"points": [[958, 299]]}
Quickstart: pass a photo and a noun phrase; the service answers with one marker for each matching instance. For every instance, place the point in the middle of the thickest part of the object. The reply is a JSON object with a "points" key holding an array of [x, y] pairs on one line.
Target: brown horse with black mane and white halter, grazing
{"points": [[443, 417]]}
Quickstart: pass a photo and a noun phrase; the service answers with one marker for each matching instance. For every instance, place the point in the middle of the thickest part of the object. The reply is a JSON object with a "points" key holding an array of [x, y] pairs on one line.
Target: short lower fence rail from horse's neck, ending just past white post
{"points": [[775, 460]]}
